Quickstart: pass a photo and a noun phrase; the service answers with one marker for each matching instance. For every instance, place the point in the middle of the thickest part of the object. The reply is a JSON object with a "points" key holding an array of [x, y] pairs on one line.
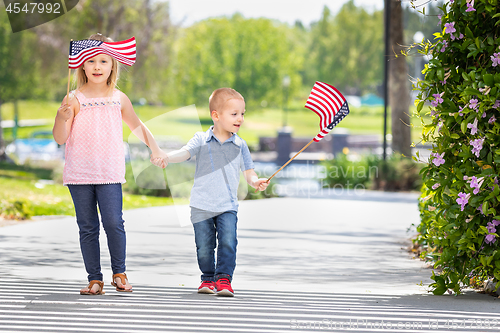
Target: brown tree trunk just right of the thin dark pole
{"points": [[399, 88]]}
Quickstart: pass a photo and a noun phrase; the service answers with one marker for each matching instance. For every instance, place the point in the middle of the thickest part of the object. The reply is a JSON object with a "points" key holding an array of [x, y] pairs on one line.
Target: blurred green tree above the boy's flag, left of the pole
{"points": [[346, 50]]}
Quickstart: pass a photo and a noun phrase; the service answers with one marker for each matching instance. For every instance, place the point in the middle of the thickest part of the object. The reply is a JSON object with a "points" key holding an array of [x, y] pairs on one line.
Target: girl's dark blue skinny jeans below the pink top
{"points": [[109, 198]]}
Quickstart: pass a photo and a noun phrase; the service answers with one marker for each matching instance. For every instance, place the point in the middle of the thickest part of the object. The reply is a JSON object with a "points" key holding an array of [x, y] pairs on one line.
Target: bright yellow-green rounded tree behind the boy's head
{"points": [[249, 55]]}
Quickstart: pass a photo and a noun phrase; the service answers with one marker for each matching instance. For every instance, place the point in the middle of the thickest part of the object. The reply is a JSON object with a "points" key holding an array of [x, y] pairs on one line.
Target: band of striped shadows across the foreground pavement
{"points": [[46, 307]]}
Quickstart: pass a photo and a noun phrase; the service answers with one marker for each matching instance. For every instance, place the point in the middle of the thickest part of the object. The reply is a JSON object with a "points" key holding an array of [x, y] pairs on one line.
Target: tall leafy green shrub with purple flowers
{"points": [[460, 198]]}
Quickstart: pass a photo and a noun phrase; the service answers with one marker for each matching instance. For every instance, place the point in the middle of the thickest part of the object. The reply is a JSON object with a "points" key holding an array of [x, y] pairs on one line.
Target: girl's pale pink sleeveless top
{"points": [[94, 149]]}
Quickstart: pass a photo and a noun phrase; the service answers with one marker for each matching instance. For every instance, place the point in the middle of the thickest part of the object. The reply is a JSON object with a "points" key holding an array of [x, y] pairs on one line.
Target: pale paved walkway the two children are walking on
{"points": [[303, 264]]}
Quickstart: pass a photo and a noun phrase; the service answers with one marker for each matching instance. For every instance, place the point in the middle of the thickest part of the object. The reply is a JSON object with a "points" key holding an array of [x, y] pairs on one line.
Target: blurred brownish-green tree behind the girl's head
{"points": [[149, 21]]}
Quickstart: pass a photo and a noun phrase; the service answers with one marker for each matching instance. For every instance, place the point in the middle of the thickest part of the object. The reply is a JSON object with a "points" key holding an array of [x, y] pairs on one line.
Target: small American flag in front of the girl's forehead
{"points": [[82, 50]]}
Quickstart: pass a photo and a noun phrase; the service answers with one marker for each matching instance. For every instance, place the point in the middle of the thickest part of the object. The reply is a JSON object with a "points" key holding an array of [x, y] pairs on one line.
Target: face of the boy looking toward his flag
{"points": [[230, 116]]}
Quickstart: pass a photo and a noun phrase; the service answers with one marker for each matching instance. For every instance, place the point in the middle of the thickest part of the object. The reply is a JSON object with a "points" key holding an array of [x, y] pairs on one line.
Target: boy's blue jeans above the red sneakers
{"points": [[217, 231]]}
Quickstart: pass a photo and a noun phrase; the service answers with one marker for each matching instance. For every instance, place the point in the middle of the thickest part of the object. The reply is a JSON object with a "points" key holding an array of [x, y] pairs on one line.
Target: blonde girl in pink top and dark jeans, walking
{"points": [[89, 121]]}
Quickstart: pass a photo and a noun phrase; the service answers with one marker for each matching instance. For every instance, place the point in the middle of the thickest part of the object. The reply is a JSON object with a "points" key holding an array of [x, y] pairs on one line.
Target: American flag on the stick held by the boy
{"points": [[329, 104]]}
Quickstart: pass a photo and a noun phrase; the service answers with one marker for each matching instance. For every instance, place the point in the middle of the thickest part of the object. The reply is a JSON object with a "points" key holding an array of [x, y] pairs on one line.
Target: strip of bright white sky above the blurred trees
{"points": [[190, 11]]}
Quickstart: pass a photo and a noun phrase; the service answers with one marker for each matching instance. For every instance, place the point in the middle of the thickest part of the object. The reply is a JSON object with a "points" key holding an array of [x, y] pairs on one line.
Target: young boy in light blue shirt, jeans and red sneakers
{"points": [[220, 155]]}
